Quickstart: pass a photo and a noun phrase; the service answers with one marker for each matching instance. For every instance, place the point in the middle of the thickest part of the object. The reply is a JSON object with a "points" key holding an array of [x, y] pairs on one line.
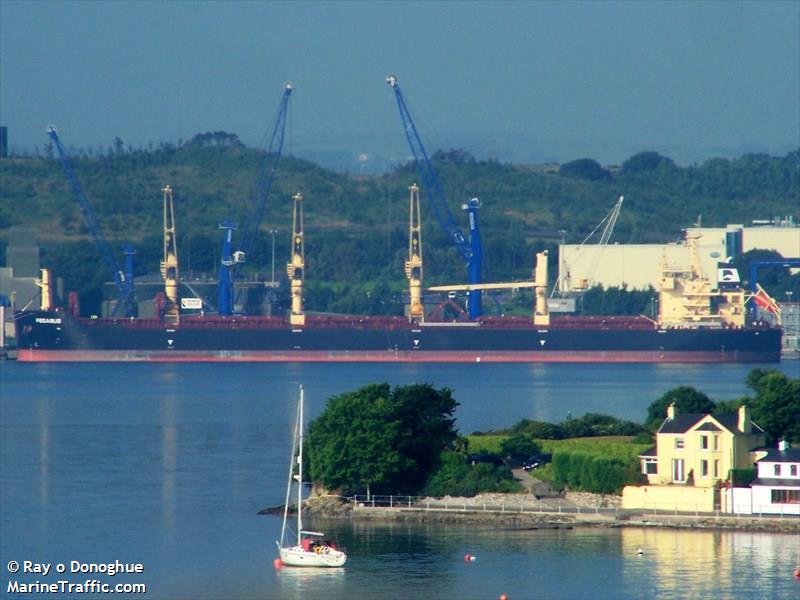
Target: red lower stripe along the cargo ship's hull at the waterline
{"points": [[28, 355]]}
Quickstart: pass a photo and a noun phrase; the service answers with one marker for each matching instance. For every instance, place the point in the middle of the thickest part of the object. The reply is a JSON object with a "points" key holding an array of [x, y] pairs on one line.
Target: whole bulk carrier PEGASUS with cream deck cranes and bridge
{"points": [[697, 322]]}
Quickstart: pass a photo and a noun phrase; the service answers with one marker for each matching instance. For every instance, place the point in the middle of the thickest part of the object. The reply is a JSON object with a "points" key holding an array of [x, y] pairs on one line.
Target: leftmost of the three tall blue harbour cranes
{"points": [[123, 282]]}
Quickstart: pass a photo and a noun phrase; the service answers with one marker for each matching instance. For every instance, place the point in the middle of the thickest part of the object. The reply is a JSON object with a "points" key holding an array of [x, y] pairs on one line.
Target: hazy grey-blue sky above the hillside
{"points": [[516, 81]]}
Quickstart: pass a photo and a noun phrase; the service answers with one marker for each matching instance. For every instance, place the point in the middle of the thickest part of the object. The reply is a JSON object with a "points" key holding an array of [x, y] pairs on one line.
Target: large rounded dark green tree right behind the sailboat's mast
{"points": [[387, 439]]}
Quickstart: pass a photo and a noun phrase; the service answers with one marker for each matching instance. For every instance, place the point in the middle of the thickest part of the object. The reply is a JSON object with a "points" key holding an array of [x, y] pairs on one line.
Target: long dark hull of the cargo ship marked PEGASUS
{"points": [[59, 337]]}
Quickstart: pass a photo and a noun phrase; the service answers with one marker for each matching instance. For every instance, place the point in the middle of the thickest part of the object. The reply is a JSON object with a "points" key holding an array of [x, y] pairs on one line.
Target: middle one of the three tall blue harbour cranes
{"points": [[232, 260]]}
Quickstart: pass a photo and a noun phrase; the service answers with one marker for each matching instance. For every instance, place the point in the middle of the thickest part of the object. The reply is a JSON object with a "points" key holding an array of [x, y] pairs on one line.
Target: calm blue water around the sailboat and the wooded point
{"points": [[167, 465]]}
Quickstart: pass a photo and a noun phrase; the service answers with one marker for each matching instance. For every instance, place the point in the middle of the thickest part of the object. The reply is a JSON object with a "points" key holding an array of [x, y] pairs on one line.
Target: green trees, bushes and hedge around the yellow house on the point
{"points": [[403, 440]]}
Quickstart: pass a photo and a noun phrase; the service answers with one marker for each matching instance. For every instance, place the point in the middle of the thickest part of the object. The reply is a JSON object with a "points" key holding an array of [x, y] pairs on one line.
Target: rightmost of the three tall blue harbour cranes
{"points": [[471, 251]]}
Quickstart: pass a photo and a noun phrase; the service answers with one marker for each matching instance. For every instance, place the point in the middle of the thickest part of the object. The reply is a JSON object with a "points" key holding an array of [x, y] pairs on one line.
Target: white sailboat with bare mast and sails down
{"points": [[311, 549]]}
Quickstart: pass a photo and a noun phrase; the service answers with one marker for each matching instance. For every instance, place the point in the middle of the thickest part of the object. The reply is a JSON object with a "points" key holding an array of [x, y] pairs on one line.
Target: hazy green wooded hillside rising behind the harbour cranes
{"points": [[356, 225]]}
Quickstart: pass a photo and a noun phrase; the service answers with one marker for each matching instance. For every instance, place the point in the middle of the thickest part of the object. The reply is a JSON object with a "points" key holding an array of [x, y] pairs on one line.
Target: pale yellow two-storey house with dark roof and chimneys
{"points": [[693, 454]]}
